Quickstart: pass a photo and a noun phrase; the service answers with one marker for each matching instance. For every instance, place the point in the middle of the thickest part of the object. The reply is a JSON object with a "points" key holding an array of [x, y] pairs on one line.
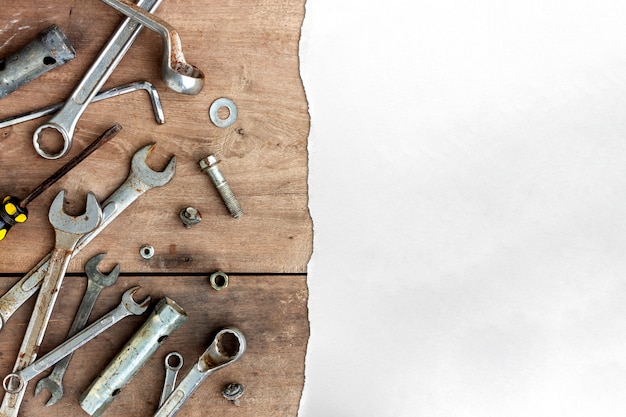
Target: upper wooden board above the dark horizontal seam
{"points": [[249, 53]]}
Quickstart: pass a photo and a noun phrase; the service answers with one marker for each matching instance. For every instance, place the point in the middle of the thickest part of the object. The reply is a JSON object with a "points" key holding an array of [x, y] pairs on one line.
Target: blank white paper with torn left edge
{"points": [[467, 183]]}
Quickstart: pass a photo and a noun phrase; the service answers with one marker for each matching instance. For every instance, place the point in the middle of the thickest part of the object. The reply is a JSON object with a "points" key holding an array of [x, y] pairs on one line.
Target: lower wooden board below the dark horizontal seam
{"points": [[270, 311]]}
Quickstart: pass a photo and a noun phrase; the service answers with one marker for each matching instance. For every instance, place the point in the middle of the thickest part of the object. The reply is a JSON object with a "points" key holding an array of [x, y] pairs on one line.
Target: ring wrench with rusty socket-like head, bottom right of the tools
{"points": [[216, 357]]}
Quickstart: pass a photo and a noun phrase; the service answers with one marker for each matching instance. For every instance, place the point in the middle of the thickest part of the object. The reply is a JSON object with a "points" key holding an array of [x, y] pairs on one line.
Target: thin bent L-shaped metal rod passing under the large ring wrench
{"points": [[113, 92]]}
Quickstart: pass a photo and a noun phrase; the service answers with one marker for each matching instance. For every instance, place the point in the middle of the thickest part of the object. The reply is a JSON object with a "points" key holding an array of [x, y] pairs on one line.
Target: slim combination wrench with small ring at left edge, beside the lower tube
{"points": [[16, 381]]}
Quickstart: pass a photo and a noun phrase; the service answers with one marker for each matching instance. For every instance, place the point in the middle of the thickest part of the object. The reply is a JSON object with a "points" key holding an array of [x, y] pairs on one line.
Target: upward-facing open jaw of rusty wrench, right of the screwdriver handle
{"points": [[75, 224]]}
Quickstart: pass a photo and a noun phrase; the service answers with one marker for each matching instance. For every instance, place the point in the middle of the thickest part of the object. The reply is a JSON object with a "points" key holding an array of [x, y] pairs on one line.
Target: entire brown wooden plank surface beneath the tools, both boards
{"points": [[249, 53]]}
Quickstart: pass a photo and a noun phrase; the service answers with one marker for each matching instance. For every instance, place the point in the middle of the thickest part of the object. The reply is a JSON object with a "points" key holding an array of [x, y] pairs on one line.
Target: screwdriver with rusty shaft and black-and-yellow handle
{"points": [[13, 210]]}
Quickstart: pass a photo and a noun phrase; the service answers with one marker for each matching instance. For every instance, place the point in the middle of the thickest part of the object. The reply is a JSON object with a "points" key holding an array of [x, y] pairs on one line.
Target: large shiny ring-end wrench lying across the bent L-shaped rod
{"points": [[66, 119]]}
